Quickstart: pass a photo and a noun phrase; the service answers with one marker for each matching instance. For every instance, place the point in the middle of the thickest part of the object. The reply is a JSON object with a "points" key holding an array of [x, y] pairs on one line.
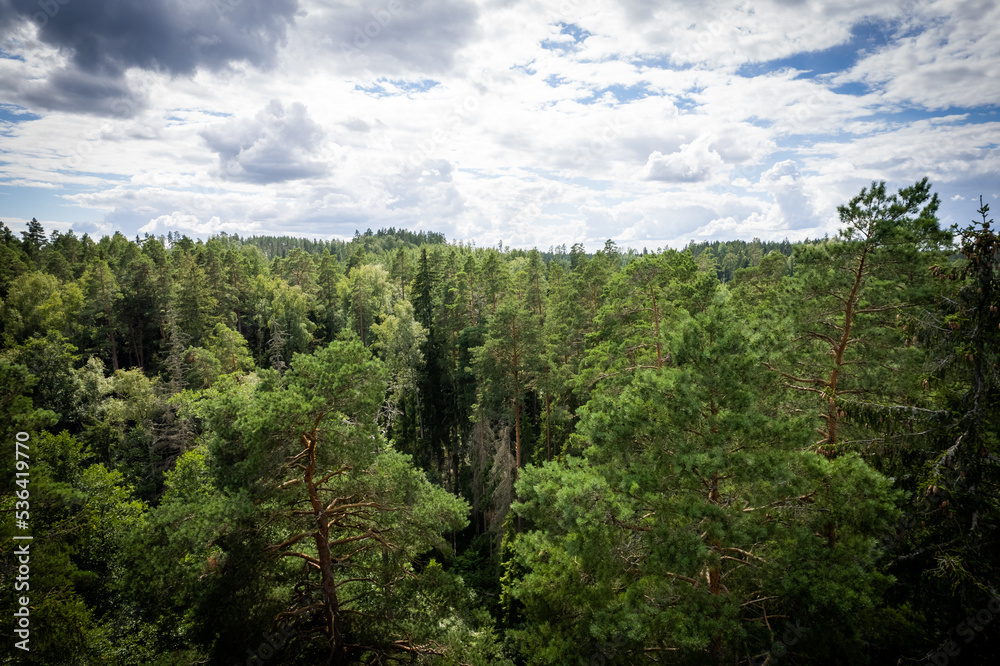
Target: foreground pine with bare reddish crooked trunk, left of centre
{"points": [[353, 511]]}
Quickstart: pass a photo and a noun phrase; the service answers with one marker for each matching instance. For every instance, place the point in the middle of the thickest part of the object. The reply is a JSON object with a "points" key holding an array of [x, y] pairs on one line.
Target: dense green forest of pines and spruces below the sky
{"points": [[403, 450]]}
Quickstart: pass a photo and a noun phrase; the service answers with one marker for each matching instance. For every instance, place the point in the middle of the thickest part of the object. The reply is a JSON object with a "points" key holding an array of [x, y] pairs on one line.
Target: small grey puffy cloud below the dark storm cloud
{"points": [[274, 146]]}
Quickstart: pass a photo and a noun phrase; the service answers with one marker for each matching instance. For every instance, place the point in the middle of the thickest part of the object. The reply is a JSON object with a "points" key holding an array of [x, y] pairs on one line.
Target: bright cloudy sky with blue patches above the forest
{"points": [[527, 123]]}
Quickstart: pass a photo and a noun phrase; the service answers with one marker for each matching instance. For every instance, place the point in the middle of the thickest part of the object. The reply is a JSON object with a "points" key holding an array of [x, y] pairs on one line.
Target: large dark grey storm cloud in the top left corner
{"points": [[104, 38]]}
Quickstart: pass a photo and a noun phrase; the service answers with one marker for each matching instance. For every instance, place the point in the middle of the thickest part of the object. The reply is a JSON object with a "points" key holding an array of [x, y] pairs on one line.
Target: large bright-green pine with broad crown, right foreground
{"points": [[696, 512]]}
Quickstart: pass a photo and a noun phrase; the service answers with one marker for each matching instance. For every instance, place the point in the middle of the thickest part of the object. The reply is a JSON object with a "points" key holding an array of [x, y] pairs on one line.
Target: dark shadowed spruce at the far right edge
{"points": [[947, 458]]}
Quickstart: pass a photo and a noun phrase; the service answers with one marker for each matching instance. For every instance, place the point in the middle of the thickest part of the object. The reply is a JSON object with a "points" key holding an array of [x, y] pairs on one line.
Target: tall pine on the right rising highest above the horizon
{"points": [[854, 289]]}
